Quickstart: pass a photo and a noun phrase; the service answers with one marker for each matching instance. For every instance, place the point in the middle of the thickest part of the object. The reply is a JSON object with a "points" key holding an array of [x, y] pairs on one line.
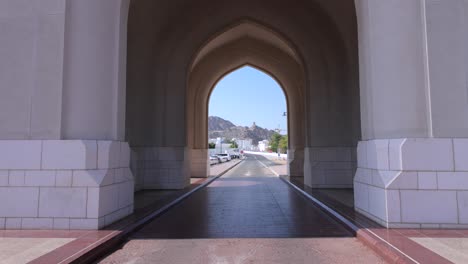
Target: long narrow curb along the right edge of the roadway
{"points": [[379, 245]]}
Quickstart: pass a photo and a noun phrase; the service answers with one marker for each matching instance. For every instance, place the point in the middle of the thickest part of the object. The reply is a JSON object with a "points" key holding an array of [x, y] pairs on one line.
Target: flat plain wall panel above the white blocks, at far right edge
{"points": [[447, 42]]}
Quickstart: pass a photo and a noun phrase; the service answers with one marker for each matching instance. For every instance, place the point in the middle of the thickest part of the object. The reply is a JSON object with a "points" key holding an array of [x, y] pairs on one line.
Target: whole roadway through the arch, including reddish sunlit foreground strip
{"points": [[247, 216]]}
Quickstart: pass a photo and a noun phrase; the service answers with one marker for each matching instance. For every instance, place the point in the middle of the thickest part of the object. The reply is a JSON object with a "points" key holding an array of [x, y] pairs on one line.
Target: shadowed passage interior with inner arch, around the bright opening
{"points": [[172, 70]]}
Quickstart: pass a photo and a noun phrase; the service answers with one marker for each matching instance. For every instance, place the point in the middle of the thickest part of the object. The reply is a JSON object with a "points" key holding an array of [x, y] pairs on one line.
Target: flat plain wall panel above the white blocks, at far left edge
{"points": [[31, 68]]}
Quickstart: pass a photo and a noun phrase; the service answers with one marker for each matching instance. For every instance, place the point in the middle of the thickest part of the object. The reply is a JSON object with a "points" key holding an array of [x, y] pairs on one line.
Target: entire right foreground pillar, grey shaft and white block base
{"points": [[411, 170]]}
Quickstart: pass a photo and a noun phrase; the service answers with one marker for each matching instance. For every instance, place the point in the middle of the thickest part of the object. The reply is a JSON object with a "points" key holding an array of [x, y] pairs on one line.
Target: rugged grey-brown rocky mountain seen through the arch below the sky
{"points": [[219, 127]]}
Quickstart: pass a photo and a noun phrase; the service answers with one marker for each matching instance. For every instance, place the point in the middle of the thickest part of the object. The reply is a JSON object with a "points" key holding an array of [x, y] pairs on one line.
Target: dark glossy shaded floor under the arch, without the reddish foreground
{"points": [[245, 205]]}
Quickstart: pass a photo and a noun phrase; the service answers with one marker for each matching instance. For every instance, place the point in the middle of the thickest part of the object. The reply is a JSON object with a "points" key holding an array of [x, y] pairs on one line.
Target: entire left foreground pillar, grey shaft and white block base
{"points": [[71, 171]]}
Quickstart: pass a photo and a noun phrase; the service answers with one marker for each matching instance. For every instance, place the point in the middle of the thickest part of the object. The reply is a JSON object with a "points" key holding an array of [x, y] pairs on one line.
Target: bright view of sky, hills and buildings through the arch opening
{"points": [[247, 109]]}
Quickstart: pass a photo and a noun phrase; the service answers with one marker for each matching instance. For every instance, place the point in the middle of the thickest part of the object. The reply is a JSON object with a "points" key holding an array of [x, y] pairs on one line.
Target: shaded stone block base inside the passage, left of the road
{"points": [[161, 168]]}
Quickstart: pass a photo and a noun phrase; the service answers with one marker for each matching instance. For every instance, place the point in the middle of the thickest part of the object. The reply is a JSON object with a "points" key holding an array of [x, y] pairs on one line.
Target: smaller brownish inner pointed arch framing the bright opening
{"points": [[227, 52]]}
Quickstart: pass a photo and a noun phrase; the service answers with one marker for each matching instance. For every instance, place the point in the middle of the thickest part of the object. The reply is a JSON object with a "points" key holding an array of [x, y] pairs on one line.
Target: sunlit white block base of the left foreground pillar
{"points": [[64, 184]]}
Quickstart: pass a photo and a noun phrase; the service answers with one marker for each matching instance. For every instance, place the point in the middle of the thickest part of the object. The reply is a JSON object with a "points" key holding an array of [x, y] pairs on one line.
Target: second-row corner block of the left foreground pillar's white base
{"points": [[93, 178]]}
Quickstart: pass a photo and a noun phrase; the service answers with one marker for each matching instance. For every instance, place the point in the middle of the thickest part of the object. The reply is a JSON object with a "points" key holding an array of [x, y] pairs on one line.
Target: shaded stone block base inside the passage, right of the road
{"points": [[329, 167]]}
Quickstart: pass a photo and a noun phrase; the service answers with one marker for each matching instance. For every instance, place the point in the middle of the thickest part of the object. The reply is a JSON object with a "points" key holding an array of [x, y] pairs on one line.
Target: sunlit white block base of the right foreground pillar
{"points": [[413, 183]]}
